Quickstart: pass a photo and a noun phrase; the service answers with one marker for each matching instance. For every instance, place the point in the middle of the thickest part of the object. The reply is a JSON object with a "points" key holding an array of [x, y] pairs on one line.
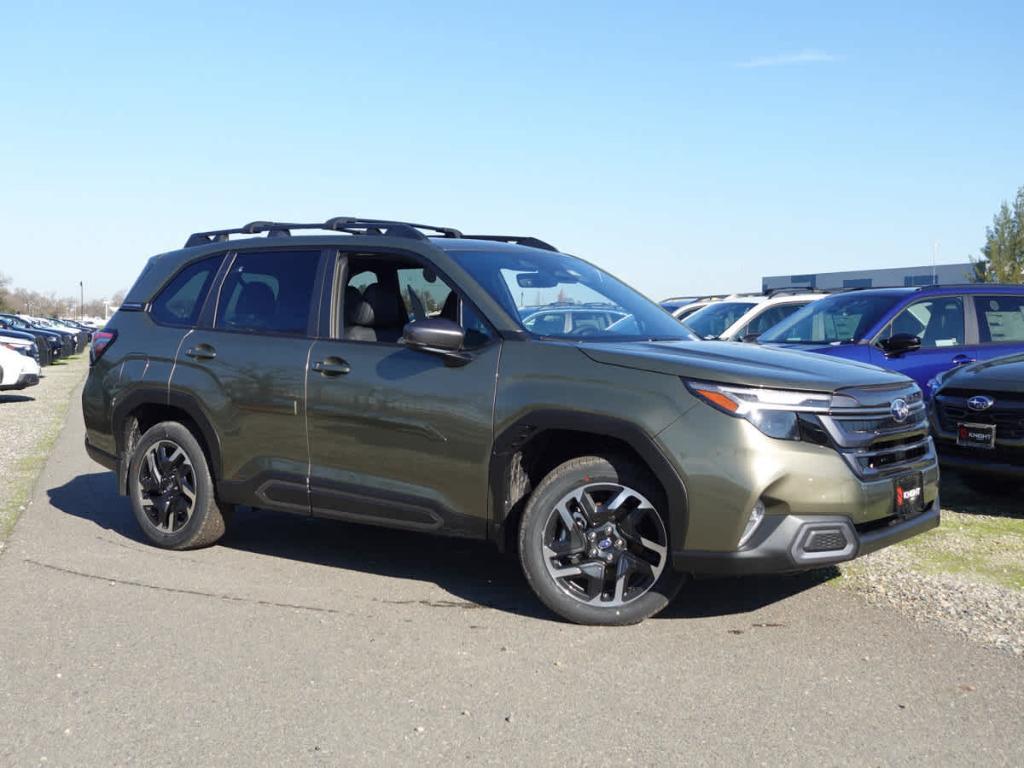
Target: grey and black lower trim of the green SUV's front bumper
{"points": [[791, 542]]}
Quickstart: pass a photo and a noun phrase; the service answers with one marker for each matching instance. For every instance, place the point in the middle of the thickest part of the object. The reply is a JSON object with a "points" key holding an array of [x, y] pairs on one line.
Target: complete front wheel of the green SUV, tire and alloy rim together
{"points": [[623, 575]]}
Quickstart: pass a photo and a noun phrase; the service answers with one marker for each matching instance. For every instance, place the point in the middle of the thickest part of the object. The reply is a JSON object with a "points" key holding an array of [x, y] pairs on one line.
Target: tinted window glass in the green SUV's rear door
{"points": [[269, 292]]}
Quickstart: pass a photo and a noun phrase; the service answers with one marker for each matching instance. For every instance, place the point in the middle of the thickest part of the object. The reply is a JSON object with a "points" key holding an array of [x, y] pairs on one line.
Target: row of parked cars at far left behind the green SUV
{"points": [[27, 344]]}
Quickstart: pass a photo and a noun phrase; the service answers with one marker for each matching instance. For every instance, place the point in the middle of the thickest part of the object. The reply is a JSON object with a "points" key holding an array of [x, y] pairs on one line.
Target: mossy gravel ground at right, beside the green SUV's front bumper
{"points": [[967, 577]]}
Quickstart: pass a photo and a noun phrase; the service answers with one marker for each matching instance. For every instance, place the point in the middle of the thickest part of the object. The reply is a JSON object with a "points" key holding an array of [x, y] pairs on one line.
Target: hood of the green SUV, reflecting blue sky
{"points": [[747, 365]]}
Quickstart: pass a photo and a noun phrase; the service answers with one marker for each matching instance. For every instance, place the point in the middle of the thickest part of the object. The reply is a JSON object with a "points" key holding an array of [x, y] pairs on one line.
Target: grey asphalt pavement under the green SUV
{"points": [[309, 643]]}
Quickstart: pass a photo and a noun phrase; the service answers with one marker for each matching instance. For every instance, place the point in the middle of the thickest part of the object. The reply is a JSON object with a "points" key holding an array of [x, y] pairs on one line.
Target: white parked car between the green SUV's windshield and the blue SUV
{"points": [[746, 318]]}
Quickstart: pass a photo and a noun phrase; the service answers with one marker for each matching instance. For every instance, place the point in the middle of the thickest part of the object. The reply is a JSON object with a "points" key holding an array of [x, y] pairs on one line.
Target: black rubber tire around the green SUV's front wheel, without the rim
{"points": [[561, 482]]}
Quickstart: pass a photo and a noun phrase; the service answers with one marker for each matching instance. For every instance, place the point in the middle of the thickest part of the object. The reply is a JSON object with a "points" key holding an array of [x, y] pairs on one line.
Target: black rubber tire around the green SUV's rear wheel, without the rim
{"points": [[204, 485]]}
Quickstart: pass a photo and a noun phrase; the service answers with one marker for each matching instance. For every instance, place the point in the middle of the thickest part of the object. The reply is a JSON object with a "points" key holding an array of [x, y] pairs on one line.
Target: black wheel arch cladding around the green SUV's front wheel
{"points": [[538, 442]]}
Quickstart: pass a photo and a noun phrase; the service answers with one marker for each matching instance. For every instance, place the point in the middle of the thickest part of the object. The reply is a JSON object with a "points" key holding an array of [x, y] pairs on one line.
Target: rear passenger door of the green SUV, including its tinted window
{"points": [[245, 366]]}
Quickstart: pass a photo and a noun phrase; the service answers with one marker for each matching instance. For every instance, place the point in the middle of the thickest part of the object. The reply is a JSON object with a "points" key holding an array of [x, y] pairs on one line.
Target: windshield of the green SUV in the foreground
{"points": [[554, 295]]}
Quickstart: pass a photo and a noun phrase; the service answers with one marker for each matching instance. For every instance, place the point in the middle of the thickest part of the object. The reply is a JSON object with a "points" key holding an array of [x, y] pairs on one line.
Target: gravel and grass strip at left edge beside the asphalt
{"points": [[30, 420]]}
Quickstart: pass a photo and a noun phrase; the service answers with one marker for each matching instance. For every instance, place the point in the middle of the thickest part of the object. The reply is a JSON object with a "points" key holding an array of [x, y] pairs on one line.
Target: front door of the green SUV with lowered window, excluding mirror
{"points": [[399, 437]]}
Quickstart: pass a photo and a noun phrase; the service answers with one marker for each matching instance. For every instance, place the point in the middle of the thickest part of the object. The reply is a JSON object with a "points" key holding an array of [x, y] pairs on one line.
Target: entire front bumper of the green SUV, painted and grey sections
{"points": [[808, 491]]}
